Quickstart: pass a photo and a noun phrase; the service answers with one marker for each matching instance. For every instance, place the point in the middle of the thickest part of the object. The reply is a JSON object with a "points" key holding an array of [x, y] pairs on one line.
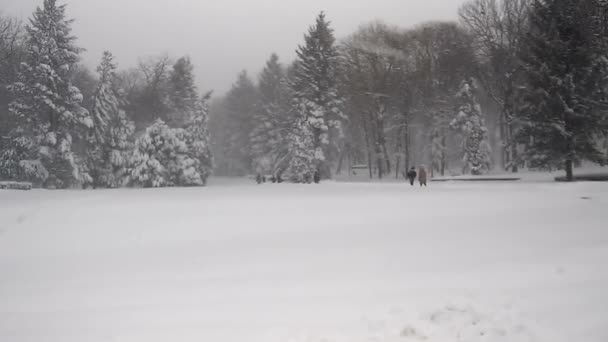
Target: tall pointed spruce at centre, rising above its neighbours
{"points": [[315, 93]]}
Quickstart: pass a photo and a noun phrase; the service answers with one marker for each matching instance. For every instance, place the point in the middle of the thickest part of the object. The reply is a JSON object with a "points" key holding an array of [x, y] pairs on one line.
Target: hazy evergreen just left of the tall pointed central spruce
{"points": [[271, 121]]}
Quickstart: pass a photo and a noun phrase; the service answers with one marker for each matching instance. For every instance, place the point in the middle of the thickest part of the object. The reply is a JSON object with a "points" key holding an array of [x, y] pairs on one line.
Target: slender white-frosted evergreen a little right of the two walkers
{"points": [[469, 121]]}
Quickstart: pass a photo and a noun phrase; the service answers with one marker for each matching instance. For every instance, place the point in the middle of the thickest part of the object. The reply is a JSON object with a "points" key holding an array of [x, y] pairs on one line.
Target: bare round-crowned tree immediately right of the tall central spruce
{"points": [[372, 66]]}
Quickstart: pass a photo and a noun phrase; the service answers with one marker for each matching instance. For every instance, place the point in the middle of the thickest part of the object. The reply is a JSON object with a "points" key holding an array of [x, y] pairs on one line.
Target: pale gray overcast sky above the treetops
{"points": [[222, 37]]}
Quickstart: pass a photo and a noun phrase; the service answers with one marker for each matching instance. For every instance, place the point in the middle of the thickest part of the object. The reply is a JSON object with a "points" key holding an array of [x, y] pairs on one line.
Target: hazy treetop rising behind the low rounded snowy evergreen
{"points": [[182, 98]]}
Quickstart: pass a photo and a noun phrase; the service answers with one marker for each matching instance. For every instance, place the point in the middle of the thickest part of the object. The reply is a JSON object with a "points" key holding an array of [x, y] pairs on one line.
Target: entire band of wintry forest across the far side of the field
{"points": [[512, 84]]}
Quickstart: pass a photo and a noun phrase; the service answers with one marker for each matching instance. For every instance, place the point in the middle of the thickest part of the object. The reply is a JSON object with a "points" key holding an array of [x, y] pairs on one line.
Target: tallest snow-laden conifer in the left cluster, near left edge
{"points": [[47, 106]]}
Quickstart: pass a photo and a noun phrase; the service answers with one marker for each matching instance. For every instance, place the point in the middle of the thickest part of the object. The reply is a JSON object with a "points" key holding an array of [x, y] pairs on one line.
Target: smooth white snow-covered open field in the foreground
{"points": [[336, 262]]}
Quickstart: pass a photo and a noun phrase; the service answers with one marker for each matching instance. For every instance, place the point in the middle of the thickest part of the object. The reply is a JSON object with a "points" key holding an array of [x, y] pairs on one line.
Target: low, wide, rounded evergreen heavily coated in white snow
{"points": [[162, 158]]}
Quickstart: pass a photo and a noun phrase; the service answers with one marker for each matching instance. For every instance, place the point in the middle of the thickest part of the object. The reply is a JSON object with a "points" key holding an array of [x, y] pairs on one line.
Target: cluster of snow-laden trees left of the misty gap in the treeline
{"points": [[62, 127]]}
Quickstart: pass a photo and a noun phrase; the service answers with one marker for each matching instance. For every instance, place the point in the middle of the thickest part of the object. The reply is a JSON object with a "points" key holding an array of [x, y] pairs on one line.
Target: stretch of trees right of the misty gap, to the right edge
{"points": [[512, 84]]}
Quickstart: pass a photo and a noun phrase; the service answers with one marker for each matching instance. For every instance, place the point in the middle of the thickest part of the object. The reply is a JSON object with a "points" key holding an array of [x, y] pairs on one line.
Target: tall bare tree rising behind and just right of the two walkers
{"points": [[443, 56]]}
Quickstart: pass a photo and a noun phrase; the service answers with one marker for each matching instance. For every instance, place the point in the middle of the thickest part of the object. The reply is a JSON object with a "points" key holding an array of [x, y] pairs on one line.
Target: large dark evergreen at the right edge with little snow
{"points": [[565, 69]]}
